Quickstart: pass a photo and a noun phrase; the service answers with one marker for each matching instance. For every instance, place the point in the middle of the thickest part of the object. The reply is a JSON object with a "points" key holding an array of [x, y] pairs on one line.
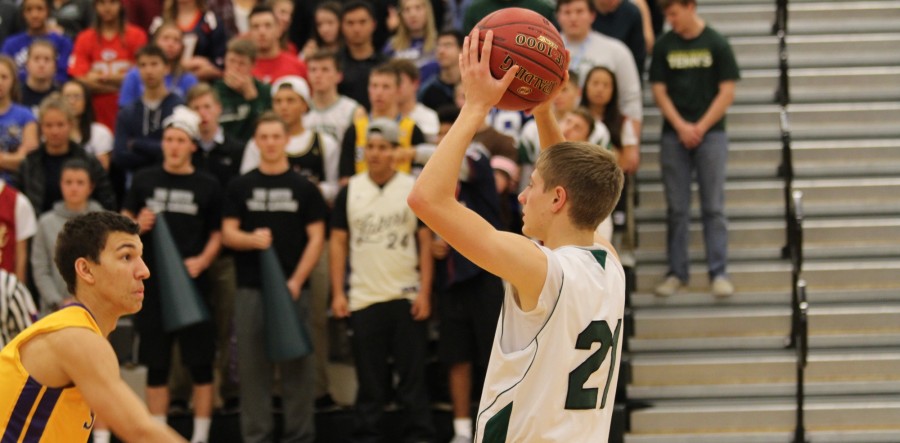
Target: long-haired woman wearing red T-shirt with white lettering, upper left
{"points": [[103, 55]]}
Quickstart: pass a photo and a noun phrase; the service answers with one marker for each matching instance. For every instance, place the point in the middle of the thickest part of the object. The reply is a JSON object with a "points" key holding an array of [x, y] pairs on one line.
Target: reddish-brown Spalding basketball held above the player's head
{"points": [[525, 38]]}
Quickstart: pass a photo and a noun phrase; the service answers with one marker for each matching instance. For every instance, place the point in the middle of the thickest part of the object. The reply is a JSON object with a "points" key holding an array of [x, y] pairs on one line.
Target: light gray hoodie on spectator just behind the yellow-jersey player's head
{"points": [[49, 282]]}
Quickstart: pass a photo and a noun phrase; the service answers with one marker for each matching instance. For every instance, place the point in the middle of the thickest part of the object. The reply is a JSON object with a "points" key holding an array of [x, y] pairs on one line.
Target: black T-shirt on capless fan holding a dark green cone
{"points": [[285, 203]]}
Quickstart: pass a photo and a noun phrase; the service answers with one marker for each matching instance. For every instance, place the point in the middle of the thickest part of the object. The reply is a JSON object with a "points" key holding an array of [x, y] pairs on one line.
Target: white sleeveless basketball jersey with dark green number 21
{"points": [[556, 381]]}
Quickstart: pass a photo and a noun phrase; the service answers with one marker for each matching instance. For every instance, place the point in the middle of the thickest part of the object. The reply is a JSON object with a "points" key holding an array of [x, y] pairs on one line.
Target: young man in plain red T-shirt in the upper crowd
{"points": [[272, 62]]}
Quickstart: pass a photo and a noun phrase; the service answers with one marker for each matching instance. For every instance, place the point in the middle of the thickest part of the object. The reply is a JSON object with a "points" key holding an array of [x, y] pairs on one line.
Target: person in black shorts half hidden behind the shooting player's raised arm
{"points": [[469, 298]]}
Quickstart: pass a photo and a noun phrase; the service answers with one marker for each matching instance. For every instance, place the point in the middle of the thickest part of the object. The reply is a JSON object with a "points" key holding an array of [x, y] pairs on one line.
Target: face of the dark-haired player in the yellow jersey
{"points": [[120, 272]]}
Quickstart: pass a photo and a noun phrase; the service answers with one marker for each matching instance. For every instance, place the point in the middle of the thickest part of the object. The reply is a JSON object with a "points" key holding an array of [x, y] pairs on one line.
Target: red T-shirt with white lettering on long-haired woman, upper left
{"points": [[92, 52]]}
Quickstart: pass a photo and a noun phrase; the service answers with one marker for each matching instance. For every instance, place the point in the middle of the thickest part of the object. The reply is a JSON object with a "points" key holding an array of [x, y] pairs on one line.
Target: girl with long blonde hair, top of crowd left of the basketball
{"points": [[416, 38]]}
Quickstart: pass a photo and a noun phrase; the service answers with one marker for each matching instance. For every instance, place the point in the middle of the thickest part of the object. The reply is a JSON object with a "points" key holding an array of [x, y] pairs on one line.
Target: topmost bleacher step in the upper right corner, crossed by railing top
{"points": [[805, 18]]}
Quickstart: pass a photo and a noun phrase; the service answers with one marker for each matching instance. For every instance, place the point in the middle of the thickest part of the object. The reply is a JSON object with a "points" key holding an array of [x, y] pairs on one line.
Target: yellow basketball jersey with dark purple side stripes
{"points": [[30, 411]]}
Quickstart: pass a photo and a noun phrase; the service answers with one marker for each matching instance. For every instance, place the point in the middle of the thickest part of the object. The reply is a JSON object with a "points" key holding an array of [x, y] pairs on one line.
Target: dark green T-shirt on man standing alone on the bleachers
{"points": [[692, 71]]}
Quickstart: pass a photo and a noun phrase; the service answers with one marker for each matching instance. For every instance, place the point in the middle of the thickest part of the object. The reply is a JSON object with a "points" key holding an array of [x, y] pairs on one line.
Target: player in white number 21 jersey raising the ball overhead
{"points": [[554, 363]]}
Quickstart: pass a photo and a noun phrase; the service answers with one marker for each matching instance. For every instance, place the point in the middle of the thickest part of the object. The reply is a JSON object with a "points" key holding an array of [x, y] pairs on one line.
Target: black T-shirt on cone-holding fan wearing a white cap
{"points": [[191, 205]]}
